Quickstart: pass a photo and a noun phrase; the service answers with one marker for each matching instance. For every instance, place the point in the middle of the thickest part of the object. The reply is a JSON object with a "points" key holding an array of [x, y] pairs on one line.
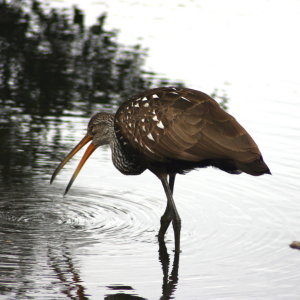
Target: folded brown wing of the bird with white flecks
{"points": [[175, 123]]}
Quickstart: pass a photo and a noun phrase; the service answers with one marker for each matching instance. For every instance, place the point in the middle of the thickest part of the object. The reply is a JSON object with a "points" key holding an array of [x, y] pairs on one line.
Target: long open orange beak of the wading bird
{"points": [[91, 148]]}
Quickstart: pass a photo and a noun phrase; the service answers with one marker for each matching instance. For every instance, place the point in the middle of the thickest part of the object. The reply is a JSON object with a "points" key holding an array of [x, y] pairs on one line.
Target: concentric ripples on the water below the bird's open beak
{"points": [[107, 217]]}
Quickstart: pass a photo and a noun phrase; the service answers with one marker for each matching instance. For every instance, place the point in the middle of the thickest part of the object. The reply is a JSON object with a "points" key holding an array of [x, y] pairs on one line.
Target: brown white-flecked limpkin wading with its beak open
{"points": [[170, 131]]}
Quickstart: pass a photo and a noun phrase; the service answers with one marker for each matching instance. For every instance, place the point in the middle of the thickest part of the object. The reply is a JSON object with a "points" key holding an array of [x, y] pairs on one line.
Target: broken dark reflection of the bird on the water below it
{"points": [[73, 287]]}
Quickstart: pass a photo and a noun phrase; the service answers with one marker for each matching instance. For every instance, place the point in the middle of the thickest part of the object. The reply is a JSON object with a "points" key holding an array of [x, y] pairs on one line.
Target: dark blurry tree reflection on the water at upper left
{"points": [[50, 61]]}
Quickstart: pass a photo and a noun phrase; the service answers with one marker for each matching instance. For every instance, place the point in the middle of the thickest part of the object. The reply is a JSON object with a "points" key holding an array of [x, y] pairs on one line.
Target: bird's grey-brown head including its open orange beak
{"points": [[99, 131]]}
